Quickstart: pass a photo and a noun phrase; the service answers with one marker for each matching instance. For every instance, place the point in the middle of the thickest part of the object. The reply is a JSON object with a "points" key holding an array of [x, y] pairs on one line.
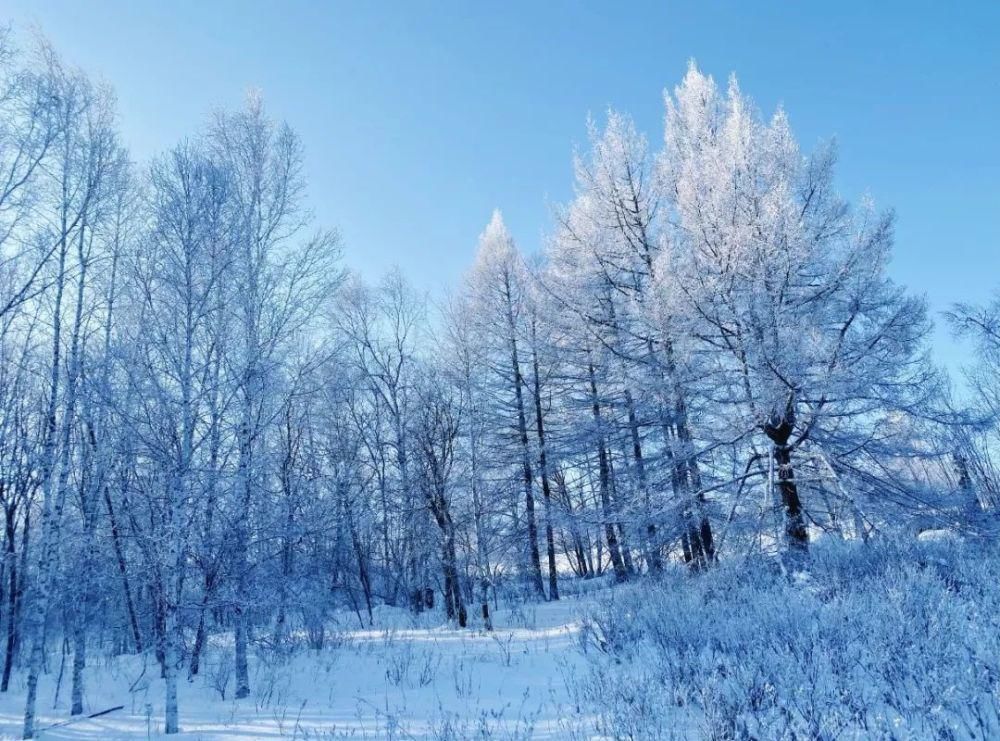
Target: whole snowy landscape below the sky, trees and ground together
{"points": [[686, 468]]}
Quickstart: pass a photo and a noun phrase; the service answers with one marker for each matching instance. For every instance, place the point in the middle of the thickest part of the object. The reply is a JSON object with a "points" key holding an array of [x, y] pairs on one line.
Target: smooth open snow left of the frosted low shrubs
{"points": [[415, 680]]}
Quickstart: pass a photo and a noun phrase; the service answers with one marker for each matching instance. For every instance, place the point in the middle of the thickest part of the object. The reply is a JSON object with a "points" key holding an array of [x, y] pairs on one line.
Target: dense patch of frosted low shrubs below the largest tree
{"points": [[880, 640]]}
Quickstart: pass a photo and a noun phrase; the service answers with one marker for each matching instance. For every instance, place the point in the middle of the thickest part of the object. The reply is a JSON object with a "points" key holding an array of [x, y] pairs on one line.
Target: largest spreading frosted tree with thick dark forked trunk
{"points": [[782, 286]]}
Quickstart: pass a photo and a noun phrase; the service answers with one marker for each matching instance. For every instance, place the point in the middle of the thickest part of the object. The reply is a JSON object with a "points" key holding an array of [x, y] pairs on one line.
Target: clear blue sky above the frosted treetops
{"points": [[420, 118]]}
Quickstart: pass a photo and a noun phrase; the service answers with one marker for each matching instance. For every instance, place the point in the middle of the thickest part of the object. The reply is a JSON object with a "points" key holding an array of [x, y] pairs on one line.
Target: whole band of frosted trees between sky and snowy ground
{"points": [[212, 443]]}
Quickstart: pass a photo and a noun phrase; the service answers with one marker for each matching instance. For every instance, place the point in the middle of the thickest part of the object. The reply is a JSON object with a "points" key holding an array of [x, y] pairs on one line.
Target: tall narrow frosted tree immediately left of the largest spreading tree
{"points": [[603, 269]]}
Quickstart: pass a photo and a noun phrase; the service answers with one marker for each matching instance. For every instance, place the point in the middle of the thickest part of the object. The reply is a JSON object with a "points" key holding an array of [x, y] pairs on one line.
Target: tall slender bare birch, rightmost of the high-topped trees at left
{"points": [[280, 280]]}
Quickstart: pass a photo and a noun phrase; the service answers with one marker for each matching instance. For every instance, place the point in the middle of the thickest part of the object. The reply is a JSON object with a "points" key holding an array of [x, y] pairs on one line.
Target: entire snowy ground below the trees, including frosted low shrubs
{"points": [[894, 638]]}
